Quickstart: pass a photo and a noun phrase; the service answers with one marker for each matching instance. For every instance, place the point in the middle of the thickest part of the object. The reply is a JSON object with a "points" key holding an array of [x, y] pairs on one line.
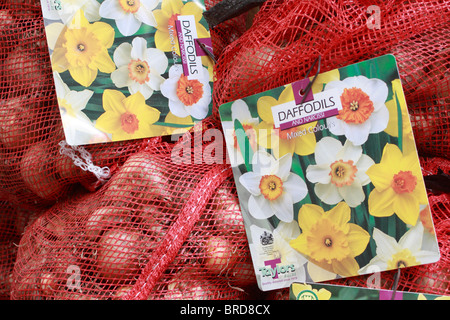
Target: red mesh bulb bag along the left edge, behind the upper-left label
{"points": [[33, 171]]}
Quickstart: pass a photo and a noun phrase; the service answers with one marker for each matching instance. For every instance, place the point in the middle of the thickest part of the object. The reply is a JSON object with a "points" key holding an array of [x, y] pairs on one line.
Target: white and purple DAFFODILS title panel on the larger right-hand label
{"points": [[315, 107]]}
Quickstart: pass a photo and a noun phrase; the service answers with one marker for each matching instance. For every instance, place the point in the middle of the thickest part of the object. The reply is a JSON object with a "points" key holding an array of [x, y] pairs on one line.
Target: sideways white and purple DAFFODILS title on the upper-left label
{"points": [[190, 51]]}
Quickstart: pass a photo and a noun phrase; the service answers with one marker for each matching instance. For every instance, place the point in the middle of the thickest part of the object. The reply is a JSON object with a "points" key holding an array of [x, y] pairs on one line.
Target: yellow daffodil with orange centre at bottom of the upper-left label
{"points": [[127, 118]]}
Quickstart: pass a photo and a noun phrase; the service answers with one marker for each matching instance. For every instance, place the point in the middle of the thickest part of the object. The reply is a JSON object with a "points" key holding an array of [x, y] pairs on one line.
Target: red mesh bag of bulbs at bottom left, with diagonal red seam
{"points": [[158, 229]]}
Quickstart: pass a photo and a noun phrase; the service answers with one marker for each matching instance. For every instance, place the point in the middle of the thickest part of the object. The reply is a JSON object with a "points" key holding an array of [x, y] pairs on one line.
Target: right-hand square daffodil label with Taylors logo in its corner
{"points": [[330, 187]]}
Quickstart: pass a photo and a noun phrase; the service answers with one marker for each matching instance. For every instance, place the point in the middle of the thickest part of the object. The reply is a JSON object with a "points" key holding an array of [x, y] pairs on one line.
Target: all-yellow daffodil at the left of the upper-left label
{"points": [[82, 48]]}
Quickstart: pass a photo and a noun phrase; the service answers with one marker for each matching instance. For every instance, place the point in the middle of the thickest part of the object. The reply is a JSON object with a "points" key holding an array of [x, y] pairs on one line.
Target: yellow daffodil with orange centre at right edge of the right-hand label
{"points": [[399, 187]]}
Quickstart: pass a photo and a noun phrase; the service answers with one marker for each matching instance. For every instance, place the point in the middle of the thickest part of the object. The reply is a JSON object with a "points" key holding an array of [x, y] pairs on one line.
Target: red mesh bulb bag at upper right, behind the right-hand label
{"points": [[286, 37]]}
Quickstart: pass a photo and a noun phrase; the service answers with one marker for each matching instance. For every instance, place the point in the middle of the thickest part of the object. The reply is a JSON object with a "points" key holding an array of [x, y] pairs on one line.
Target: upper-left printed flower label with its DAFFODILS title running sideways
{"points": [[123, 71]]}
